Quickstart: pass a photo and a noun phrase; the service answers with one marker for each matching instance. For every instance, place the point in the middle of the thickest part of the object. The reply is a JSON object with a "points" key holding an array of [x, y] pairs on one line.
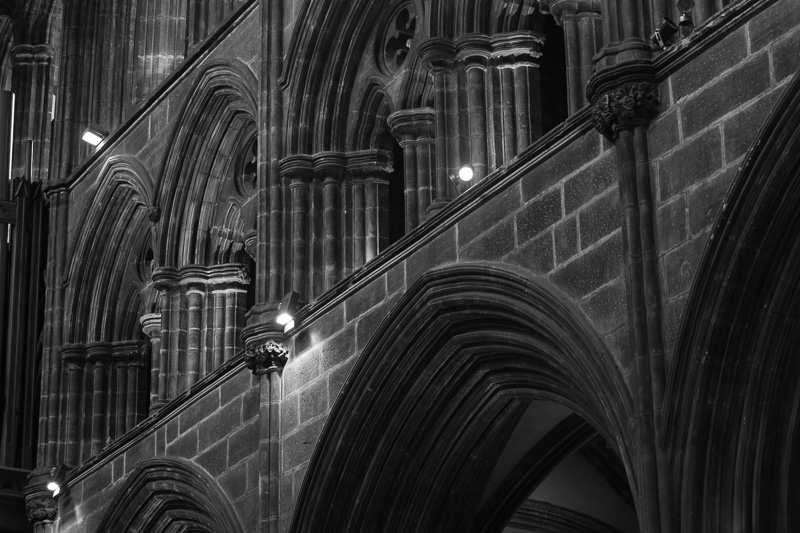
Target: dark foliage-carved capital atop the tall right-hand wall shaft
{"points": [[624, 107]]}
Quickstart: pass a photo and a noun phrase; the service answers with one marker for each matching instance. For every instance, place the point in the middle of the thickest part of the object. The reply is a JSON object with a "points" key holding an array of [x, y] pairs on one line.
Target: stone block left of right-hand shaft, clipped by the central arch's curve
{"points": [[591, 270]]}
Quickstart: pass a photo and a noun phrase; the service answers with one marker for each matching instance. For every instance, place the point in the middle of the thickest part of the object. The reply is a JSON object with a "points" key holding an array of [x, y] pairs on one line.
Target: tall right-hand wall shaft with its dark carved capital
{"points": [[623, 115]]}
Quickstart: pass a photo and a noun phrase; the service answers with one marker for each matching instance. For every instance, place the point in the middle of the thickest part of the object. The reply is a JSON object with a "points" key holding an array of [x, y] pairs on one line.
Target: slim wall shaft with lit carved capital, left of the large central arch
{"points": [[266, 361]]}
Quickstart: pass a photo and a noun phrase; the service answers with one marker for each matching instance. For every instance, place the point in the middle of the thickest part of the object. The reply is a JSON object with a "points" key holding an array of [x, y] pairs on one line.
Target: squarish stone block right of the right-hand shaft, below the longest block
{"points": [[692, 162]]}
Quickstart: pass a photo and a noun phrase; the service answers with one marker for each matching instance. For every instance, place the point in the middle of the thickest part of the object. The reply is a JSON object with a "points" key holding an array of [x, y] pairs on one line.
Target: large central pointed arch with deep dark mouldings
{"points": [[434, 395]]}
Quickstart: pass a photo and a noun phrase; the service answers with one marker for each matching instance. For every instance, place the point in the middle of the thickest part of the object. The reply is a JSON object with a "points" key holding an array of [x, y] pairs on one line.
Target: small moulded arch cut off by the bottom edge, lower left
{"points": [[165, 495]]}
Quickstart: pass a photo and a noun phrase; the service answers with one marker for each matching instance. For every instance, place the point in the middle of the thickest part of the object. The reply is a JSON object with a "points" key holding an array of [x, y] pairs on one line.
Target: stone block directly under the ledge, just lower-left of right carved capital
{"points": [[560, 165]]}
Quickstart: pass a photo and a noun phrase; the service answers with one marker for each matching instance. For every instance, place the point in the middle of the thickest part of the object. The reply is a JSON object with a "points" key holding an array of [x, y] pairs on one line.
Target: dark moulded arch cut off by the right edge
{"points": [[734, 393]]}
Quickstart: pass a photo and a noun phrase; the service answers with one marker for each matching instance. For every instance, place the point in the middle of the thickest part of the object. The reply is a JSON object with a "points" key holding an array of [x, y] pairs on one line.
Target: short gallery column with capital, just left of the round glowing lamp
{"points": [[414, 130]]}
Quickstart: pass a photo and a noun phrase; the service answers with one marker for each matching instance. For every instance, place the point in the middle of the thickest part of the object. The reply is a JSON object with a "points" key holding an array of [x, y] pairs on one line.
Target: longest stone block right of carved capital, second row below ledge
{"points": [[740, 85]]}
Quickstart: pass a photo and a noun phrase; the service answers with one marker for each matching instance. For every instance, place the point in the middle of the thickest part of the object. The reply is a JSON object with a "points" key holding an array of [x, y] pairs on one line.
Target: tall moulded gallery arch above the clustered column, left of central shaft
{"points": [[217, 122]]}
